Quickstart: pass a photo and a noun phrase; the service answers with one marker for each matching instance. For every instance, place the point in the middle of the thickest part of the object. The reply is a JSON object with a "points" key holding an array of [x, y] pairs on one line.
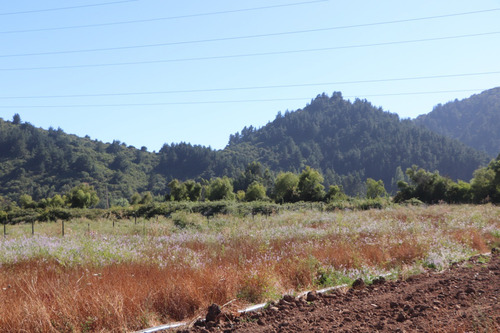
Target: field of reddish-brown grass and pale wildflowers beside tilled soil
{"points": [[133, 275]]}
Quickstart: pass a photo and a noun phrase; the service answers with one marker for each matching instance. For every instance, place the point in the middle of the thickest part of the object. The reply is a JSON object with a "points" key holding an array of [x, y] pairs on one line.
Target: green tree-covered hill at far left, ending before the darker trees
{"points": [[41, 163]]}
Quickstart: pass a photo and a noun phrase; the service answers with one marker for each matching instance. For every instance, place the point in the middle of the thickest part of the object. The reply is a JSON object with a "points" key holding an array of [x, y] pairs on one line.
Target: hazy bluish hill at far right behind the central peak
{"points": [[474, 121]]}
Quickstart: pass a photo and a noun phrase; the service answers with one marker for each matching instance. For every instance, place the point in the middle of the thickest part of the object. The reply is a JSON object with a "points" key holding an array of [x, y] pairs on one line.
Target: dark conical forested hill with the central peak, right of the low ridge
{"points": [[350, 141]]}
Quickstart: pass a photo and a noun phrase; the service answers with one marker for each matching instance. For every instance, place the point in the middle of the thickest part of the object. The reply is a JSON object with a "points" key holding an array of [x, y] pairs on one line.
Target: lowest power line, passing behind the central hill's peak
{"points": [[224, 101]]}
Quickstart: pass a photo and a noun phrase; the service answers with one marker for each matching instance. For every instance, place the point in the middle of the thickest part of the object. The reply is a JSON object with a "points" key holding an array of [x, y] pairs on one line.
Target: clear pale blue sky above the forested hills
{"points": [[150, 72]]}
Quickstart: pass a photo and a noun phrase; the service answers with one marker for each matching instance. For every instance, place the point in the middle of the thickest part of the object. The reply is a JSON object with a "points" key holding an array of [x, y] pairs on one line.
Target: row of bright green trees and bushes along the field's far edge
{"points": [[255, 191]]}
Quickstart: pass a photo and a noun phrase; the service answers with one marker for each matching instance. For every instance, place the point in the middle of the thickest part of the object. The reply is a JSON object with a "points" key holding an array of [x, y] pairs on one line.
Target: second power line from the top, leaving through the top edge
{"points": [[163, 18]]}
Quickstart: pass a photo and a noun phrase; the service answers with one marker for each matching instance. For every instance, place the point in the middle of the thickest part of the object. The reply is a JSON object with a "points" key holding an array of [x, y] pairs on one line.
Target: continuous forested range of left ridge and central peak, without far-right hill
{"points": [[346, 141]]}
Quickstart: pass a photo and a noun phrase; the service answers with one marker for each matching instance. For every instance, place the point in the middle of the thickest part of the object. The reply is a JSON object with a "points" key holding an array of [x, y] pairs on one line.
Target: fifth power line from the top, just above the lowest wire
{"points": [[256, 87]]}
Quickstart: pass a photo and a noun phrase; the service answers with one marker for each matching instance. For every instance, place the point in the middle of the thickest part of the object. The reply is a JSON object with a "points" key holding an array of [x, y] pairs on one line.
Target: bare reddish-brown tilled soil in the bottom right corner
{"points": [[464, 298]]}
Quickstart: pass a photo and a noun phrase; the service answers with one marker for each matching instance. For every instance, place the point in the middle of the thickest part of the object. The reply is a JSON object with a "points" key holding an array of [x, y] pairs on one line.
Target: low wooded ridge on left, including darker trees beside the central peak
{"points": [[42, 163]]}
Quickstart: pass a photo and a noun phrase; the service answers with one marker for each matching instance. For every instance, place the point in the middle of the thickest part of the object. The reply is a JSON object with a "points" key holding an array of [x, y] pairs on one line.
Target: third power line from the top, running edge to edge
{"points": [[127, 47]]}
